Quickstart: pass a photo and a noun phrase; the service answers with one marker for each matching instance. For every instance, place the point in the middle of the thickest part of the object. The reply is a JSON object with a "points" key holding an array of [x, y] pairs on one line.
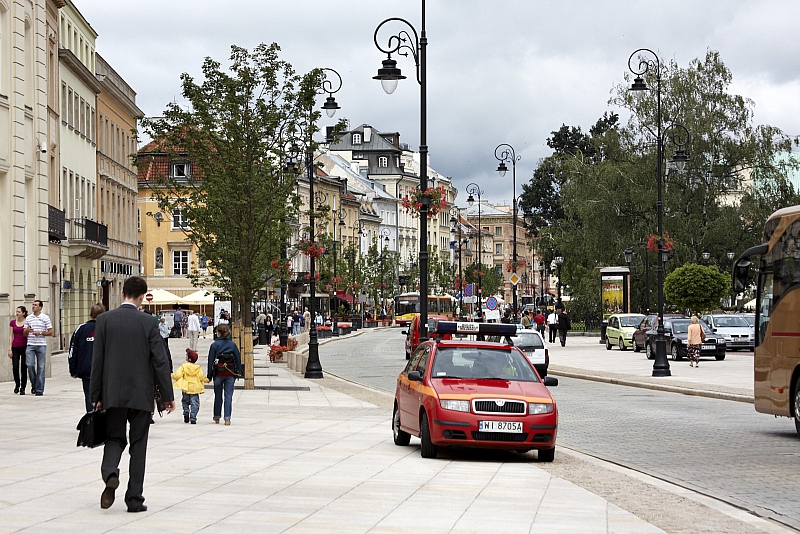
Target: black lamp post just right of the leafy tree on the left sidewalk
{"points": [[314, 367]]}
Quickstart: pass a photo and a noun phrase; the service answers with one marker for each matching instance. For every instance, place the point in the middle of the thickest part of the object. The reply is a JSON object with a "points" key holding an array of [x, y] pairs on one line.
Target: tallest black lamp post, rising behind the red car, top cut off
{"points": [[404, 43]]}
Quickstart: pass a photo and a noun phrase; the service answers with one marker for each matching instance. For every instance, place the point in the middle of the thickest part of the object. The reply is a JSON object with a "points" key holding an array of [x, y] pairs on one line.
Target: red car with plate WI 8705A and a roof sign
{"points": [[474, 394]]}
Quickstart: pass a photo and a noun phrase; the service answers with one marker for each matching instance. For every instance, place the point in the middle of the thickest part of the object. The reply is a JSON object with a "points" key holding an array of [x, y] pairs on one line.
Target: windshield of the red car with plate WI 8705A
{"points": [[482, 363]]}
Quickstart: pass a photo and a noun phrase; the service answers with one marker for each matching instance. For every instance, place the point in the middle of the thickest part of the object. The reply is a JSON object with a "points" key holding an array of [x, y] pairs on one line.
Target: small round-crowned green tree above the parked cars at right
{"points": [[696, 287]]}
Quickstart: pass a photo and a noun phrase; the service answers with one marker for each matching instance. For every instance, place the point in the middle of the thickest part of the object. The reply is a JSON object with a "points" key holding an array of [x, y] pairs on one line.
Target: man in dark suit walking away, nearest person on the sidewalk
{"points": [[127, 363]]}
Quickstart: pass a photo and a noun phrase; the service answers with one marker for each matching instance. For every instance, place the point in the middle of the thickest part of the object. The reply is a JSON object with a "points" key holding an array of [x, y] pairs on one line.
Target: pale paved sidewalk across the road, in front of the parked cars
{"points": [[586, 357]]}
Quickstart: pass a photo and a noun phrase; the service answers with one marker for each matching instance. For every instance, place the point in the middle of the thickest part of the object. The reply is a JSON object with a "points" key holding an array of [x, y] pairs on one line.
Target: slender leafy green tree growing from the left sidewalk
{"points": [[239, 194]]}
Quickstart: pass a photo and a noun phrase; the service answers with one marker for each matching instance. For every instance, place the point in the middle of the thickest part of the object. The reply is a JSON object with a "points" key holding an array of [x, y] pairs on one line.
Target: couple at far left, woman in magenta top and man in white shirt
{"points": [[28, 335]]}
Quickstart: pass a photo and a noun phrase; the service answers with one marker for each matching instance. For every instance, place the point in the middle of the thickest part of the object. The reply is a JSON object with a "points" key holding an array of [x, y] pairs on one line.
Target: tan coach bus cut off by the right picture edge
{"points": [[777, 345]]}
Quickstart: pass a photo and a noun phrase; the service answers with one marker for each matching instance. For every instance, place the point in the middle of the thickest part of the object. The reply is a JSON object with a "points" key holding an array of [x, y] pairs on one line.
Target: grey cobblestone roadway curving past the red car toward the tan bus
{"points": [[721, 448]]}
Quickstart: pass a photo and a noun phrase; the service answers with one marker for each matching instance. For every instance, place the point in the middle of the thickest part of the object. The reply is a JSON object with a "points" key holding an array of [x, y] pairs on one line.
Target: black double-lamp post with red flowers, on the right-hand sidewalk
{"points": [[661, 365]]}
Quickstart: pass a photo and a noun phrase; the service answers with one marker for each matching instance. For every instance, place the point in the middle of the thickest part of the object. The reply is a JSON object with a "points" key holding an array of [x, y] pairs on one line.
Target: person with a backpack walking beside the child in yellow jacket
{"points": [[224, 364]]}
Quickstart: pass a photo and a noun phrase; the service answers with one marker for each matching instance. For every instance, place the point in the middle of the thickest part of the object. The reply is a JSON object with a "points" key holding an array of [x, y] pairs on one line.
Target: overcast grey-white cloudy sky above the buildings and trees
{"points": [[499, 71]]}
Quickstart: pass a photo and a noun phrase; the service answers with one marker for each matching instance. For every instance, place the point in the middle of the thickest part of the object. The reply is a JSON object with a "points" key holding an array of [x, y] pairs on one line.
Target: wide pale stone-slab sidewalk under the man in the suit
{"points": [[298, 457]]}
